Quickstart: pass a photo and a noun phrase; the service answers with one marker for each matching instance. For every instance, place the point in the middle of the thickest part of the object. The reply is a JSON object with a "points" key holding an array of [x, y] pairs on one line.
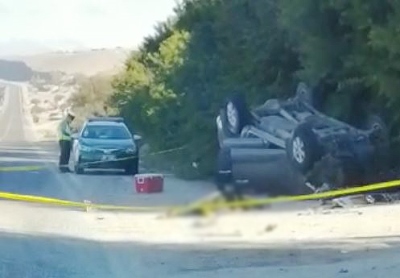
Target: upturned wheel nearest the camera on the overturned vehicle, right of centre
{"points": [[303, 149]]}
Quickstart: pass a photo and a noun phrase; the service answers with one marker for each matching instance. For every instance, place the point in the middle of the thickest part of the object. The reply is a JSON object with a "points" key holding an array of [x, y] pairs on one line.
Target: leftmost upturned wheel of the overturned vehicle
{"points": [[234, 116]]}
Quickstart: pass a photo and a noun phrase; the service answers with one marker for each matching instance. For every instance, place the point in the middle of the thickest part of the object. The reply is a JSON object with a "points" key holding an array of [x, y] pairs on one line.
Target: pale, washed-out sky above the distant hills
{"points": [[72, 23]]}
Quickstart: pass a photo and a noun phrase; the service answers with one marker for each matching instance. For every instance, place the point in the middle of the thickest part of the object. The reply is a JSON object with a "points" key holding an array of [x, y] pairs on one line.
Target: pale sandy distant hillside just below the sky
{"points": [[88, 63]]}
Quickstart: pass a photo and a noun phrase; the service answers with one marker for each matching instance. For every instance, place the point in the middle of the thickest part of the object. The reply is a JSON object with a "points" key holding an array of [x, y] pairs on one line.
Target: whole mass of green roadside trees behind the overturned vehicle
{"points": [[171, 88]]}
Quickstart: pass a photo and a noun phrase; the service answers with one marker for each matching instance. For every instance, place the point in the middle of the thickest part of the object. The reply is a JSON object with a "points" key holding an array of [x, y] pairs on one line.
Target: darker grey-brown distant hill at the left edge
{"points": [[15, 71]]}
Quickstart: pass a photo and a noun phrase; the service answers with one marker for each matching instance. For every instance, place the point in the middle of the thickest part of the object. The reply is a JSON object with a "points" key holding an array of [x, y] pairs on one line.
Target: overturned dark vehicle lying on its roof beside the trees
{"points": [[287, 147]]}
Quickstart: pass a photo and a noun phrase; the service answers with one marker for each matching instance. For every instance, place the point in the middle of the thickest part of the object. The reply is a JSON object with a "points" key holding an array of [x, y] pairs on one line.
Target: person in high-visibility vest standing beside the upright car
{"points": [[65, 141]]}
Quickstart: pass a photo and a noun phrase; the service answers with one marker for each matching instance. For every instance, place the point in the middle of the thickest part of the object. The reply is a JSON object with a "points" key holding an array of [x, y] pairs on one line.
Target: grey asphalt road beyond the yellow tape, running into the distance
{"points": [[16, 149]]}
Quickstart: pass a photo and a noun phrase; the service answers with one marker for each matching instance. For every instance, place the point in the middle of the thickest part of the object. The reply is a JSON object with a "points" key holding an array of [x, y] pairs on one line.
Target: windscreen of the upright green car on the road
{"points": [[106, 132]]}
